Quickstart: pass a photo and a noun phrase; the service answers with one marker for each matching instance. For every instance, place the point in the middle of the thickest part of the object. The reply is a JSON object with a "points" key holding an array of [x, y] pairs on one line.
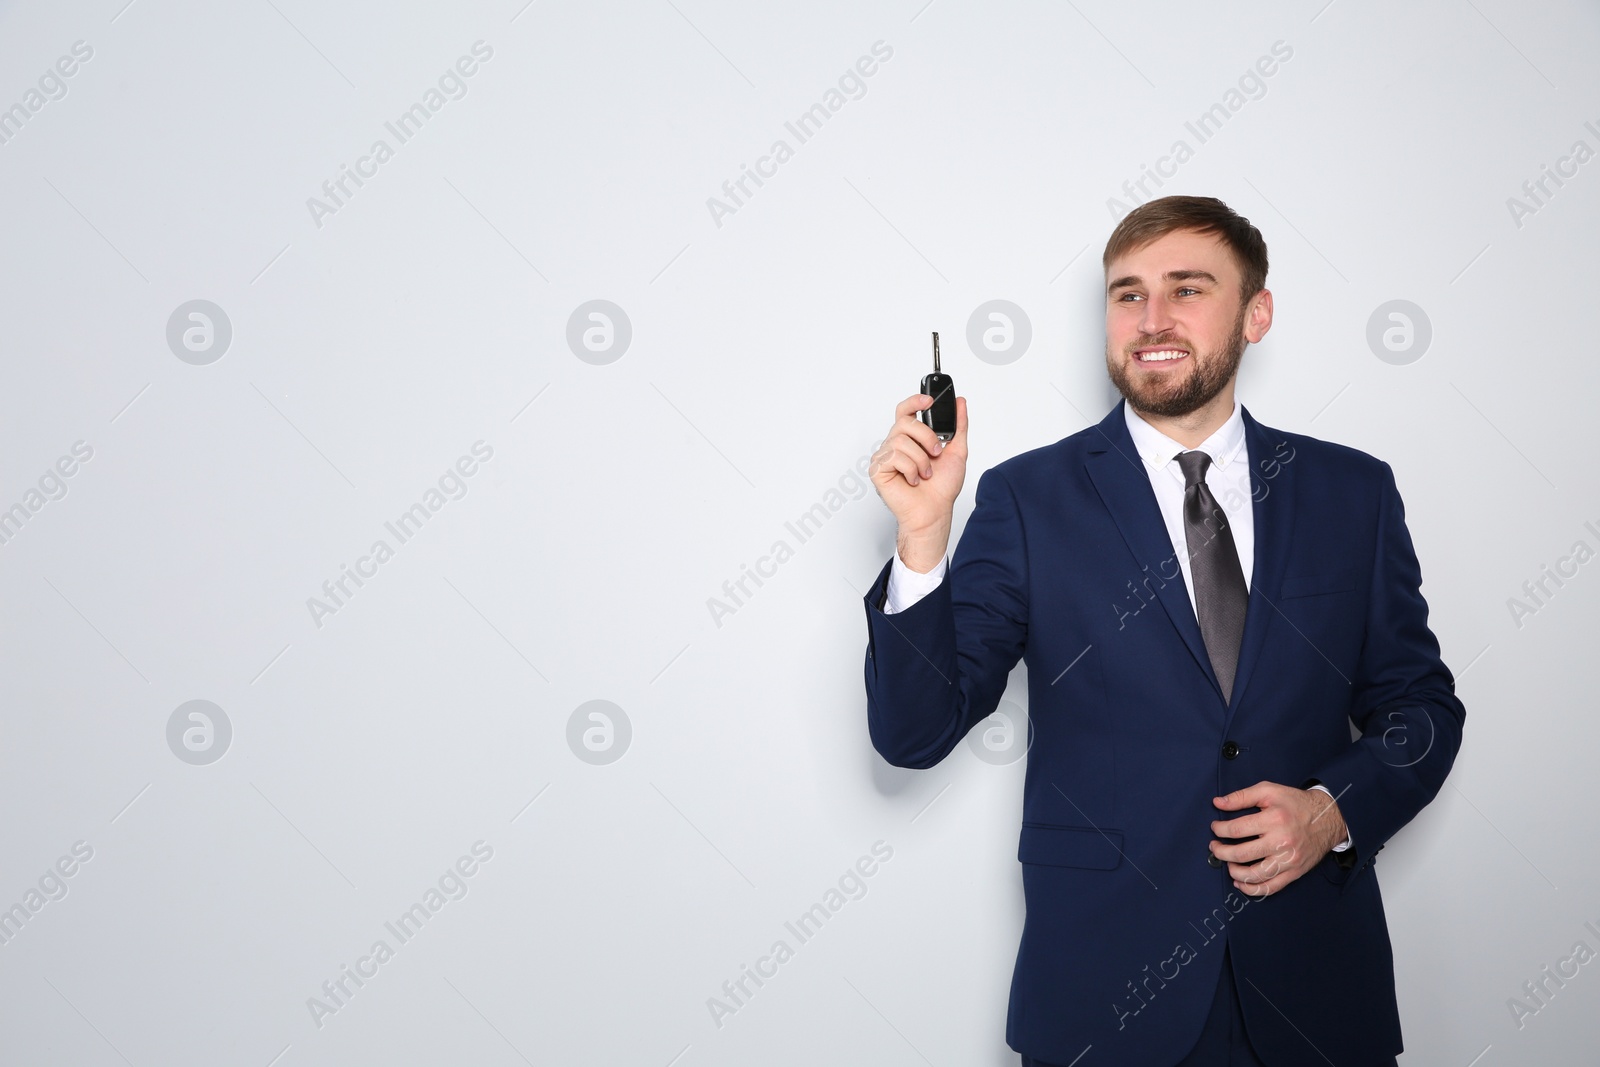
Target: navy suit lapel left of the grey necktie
{"points": [[1124, 486]]}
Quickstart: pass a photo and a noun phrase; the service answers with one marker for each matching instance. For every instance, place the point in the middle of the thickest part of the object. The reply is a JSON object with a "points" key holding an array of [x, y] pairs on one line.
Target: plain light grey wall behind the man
{"points": [[431, 313]]}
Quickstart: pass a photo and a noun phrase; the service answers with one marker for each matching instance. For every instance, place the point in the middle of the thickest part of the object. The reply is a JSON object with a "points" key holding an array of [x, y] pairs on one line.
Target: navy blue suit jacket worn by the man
{"points": [[1066, 564]]}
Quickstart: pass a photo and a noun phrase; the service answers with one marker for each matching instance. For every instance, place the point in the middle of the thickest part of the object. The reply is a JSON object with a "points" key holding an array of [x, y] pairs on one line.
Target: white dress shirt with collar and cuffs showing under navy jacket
{"points": [[1230, 482]]}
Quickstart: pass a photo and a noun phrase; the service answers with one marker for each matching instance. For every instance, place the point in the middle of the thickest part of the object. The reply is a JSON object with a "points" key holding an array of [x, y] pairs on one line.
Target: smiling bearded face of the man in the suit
{"points": [[1175, 327]]}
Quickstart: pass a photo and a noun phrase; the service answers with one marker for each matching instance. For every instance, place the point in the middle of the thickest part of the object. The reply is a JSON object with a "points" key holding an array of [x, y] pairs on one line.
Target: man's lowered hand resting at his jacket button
{"points": [[1292, 833]]}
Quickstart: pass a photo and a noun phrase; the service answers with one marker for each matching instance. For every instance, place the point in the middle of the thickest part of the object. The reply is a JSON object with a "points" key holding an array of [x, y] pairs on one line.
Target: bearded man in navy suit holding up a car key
{"points": [[1206, 607]]}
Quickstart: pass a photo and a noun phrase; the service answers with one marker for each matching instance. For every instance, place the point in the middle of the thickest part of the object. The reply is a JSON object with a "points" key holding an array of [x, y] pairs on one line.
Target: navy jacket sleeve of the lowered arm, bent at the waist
{"points": [[1404, 698]]}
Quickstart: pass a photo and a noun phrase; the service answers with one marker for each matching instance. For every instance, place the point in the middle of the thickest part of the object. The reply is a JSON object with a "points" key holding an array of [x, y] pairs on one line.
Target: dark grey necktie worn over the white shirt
{"points": [[1214, 562]]}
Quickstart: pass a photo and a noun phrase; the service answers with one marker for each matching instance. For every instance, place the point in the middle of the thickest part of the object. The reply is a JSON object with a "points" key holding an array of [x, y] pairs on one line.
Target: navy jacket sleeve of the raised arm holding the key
{"points": [[942, 665]]}
